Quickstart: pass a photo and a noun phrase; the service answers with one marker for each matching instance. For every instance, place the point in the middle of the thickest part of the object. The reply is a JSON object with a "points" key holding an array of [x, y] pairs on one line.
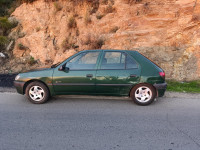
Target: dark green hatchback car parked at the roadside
{"points": [[96, 72]]}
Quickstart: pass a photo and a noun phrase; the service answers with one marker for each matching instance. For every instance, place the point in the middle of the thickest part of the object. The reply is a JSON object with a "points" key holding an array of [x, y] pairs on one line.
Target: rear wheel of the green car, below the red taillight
{"points": [[143, 94]]}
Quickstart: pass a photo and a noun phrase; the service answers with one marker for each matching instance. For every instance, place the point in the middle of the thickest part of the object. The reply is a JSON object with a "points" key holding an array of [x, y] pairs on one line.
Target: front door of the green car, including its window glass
{"points": [[79, 77]]}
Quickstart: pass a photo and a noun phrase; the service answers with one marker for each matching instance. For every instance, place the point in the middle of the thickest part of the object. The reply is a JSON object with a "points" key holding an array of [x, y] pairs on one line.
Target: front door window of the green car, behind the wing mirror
{"points": [[83, 61]]}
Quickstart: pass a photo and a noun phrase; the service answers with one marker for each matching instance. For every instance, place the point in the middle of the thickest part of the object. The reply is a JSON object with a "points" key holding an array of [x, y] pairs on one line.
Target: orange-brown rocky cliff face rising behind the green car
{"points": [[167, 31]]}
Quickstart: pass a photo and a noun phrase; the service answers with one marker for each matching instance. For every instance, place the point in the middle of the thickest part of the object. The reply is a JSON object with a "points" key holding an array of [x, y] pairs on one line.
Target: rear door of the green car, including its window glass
{"points": [[116, 74]]}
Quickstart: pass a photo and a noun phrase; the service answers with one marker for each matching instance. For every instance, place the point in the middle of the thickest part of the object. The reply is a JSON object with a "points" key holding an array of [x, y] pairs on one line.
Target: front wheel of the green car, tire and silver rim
{"points": [[37, 92]]}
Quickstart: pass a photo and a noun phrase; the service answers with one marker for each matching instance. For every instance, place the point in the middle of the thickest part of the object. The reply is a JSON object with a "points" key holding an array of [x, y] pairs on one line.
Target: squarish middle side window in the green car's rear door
{"points": [[113, 60]]}
